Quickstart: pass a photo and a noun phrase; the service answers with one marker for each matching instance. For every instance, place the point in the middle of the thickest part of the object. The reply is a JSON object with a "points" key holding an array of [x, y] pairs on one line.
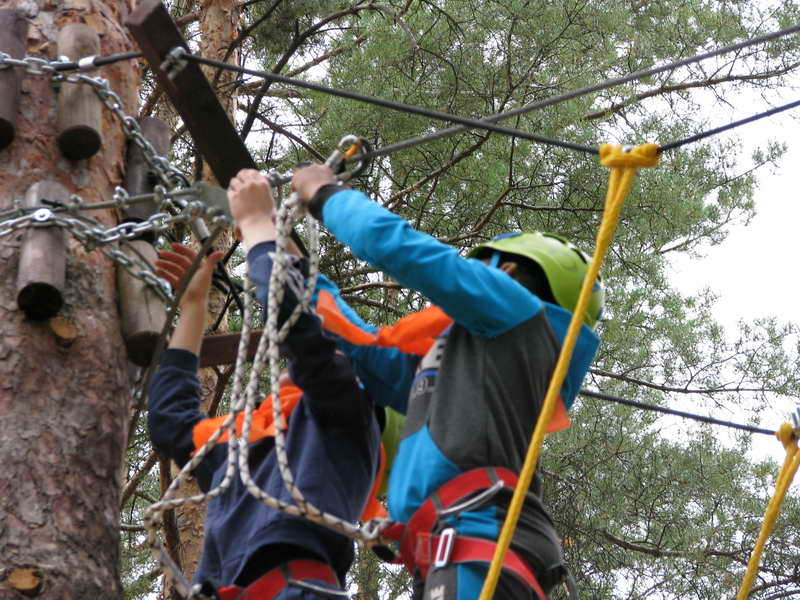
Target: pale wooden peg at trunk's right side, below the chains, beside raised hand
{"points": [[142, 312]]}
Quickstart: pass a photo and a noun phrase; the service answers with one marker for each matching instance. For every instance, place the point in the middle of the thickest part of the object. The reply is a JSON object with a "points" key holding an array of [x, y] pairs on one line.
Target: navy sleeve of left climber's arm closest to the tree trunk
{"points": [[174, 410]]}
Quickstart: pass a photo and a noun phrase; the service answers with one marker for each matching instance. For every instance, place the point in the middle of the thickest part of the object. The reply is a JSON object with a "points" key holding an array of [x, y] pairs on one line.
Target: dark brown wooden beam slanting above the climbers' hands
{"points": [[190, 92]]}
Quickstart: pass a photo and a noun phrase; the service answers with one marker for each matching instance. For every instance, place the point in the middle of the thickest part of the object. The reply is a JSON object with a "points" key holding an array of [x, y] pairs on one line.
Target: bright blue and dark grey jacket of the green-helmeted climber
{"points": [[478, 393]]}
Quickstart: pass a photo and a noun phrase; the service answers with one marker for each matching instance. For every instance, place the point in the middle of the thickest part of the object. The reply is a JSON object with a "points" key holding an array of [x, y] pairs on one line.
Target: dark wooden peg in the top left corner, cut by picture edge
{"points": [[13, 34]]}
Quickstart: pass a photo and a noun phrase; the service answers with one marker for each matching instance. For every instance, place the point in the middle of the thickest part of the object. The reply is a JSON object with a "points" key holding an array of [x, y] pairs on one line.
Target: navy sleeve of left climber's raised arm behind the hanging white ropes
{"points": [[326, 377]]}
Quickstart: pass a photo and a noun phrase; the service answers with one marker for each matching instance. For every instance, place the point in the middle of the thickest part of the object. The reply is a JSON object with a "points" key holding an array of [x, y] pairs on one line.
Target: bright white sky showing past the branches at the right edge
{"points": [[753, 271]]}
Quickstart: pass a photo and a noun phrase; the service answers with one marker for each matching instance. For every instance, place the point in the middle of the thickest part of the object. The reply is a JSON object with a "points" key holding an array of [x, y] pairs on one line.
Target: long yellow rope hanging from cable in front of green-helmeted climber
{"points": [[623, 170]]}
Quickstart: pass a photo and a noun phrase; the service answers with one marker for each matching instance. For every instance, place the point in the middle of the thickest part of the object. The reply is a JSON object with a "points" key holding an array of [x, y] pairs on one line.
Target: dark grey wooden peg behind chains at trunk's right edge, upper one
{"points": [[139, 179]]}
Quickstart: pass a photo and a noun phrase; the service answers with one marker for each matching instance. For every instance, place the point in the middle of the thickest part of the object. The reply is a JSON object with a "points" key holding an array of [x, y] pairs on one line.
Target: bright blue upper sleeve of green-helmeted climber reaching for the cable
{"points": [[483, 299]]}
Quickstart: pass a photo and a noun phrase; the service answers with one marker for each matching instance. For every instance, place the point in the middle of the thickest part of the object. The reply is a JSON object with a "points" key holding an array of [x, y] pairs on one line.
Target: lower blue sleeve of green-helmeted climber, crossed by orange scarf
{"points": [[387, 373]]}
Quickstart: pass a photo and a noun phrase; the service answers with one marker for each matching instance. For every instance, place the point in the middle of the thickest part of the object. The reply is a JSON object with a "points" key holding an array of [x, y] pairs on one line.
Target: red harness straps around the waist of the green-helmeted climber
{"points": [[420, 550]]}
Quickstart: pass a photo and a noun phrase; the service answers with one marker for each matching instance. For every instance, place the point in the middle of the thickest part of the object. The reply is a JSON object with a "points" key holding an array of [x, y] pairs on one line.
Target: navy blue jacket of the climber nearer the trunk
{"points": [[332, 443]]}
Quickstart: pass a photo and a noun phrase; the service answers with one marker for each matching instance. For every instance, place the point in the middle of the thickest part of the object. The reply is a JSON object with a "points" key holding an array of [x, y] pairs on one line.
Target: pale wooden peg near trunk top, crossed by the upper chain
{"points": [[79, 108]]}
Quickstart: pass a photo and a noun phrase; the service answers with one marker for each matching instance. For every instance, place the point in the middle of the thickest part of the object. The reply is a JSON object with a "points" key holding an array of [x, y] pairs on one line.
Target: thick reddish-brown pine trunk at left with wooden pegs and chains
{"points": [[63, 398]]}
